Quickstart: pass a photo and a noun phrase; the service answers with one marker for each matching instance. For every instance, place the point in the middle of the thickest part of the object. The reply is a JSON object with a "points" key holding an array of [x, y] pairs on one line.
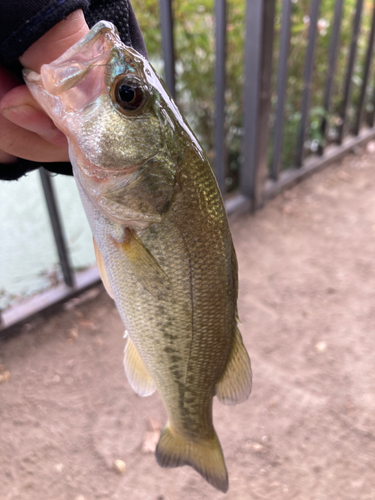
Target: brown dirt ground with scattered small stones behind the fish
{"points": [[307, 306]]}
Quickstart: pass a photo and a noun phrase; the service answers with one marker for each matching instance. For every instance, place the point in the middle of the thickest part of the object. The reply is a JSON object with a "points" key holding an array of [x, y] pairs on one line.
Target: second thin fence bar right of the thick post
{"points": [[307, 81]]}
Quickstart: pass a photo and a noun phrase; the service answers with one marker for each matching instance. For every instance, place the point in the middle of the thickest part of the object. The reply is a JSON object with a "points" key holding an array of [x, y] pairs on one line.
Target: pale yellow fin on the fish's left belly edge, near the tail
{"points": [[140, 380]]}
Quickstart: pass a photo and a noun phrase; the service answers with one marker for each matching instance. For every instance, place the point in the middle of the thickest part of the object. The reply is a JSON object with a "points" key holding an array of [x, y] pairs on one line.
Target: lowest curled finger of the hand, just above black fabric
{"points": [[22, 143]]}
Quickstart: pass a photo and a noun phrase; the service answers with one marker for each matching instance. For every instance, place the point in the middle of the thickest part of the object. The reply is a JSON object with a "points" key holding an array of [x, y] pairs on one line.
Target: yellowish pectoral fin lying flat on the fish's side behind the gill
{"points": [[145, 267]]}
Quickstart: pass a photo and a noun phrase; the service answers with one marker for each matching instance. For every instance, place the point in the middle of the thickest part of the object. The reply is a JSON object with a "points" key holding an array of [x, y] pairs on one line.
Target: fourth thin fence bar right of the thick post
{"points": [[349, 72]]}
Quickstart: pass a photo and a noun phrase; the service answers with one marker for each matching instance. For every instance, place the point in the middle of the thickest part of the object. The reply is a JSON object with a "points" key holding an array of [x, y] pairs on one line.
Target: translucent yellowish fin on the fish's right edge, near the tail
{"points": [[234, 385]]}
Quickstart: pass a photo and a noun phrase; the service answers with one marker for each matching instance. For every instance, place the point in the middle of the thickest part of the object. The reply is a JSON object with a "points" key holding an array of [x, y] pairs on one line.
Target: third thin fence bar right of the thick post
{"points": [[333, 52]]}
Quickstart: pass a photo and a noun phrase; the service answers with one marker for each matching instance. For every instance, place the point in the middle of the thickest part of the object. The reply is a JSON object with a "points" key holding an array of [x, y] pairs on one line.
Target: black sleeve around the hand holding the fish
{"points": [[22, 22]]}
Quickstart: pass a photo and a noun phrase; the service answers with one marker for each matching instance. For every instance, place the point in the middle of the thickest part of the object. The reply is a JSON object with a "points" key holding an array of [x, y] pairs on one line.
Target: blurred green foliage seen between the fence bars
{"points": [[195, 59]]}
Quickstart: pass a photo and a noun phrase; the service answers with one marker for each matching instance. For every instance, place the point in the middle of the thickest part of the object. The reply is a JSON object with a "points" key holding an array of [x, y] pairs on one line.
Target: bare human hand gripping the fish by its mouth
{"points": [[25, 130]]}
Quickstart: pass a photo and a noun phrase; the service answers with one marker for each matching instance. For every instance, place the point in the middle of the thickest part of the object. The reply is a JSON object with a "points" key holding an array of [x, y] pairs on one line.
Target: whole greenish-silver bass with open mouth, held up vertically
{"points": [[161, 235]]}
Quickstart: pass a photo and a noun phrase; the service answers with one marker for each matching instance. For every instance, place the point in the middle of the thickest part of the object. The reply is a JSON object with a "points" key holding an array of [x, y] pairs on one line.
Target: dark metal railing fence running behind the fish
{"points": [[259, 178]]}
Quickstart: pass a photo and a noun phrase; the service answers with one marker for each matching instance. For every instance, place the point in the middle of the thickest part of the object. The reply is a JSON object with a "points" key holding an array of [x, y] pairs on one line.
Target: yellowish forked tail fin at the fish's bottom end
{"points": [[205, 456]]}
